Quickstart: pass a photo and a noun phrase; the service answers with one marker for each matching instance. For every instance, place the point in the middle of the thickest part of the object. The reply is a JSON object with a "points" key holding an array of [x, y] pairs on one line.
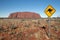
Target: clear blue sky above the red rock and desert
{"points": [[38, 6]]}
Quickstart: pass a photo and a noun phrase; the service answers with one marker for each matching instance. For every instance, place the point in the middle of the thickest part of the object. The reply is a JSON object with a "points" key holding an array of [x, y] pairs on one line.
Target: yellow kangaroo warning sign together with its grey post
{"points": [[49, 11]]}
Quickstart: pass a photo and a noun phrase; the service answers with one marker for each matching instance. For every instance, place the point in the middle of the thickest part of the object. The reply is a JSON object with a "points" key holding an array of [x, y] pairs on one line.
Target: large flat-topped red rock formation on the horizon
{"points": [[24, 15]]}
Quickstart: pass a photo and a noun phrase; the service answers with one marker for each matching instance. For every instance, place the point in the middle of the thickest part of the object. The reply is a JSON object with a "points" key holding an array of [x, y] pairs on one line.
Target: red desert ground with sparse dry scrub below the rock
{"points": [[25, 29]]}
